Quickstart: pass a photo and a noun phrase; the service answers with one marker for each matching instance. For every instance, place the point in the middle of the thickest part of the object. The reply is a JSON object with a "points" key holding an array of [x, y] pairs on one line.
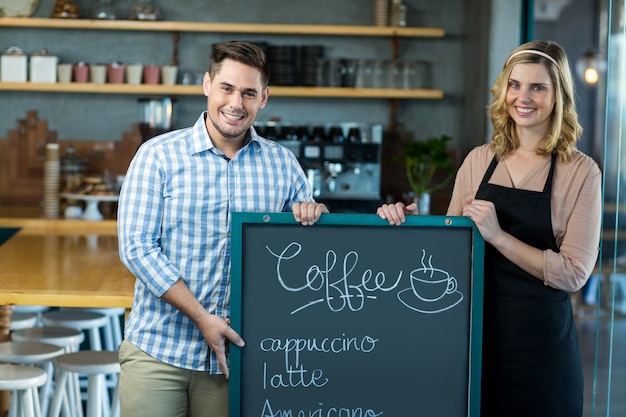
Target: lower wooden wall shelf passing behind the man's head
{"points": [[160, 89]]}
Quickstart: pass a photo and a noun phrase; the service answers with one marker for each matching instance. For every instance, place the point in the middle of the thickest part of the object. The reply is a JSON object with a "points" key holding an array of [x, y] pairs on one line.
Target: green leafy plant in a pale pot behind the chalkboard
{"points": [[422, 160]]}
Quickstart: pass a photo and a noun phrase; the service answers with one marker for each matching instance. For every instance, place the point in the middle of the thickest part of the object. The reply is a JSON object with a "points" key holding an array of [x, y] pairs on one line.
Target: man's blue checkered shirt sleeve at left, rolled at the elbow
{"points": [[140, 212]]}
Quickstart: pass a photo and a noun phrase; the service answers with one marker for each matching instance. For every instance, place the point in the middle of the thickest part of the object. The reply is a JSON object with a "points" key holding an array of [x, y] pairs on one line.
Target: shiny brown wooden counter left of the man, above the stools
{"points": [[63, 263]]}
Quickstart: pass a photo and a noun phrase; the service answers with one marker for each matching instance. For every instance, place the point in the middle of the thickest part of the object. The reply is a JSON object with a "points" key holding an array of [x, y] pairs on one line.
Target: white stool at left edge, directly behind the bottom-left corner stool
{"points": [[34, 354]]}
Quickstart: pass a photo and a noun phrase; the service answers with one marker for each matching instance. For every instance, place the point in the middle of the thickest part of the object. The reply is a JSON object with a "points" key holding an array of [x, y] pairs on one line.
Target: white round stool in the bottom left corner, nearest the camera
{"points": [[23, 382]]}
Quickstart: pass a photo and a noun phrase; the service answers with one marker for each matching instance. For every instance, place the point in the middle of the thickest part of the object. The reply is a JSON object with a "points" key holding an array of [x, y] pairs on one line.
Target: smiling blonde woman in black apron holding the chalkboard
{"points": [[536, 201]]}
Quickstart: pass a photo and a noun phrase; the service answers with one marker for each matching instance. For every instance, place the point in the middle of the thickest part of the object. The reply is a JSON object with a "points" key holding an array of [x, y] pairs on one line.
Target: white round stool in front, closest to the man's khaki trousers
{"points": [[95, 364]]}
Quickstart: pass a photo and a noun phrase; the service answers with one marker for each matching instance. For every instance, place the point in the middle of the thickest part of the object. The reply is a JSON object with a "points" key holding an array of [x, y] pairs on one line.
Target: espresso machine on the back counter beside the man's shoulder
{"points": [[342, 162]]}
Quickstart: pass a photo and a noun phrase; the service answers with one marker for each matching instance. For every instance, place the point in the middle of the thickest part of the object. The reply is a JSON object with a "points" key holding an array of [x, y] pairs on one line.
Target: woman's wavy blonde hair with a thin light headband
{"points": [[564, 131]]}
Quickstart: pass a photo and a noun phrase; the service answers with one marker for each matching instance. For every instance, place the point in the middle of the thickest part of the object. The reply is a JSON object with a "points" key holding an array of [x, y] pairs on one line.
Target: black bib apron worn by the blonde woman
{"points": [[531, 359]]}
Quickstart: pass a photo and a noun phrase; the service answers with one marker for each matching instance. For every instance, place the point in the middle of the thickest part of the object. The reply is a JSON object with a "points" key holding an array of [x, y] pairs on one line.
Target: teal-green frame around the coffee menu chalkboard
{"points": [[241, 221]]}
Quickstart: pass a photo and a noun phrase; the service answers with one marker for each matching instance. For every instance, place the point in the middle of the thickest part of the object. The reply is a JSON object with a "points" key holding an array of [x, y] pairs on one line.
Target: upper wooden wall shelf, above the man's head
{"points": [[293, 29]]}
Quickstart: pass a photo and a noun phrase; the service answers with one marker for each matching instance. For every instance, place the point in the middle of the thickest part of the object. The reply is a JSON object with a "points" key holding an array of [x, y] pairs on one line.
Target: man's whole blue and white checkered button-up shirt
{"points": [[174, 222]]}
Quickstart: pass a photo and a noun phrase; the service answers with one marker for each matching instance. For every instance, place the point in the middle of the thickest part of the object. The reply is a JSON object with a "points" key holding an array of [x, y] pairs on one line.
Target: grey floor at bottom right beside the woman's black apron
{"points": [[605, 372]]}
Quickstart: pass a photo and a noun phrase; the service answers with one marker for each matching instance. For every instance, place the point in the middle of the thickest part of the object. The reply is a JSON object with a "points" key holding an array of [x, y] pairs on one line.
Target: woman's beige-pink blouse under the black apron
{"points": [[576, 210]]}
